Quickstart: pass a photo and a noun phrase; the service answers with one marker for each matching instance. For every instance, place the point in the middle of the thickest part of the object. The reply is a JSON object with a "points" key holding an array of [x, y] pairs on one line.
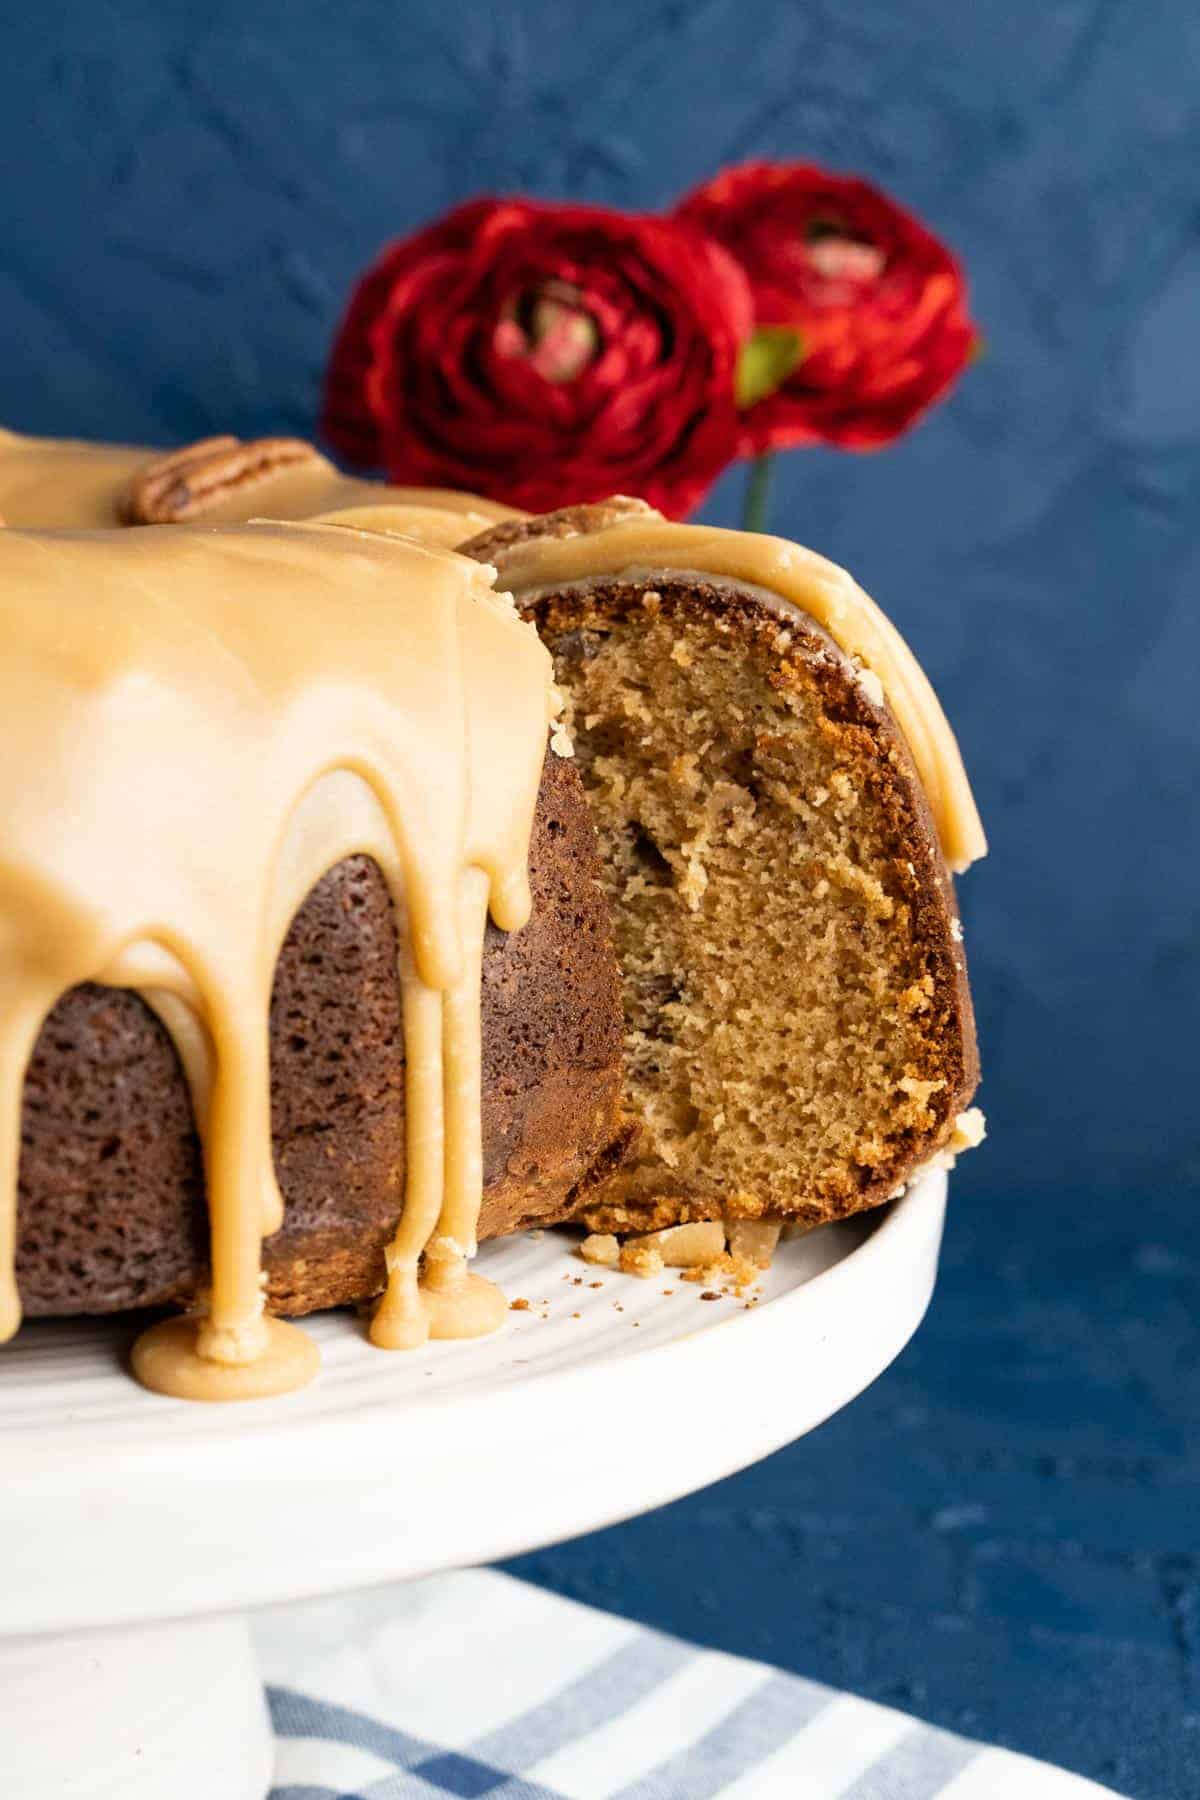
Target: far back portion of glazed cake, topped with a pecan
{"points": [[49, 481]]}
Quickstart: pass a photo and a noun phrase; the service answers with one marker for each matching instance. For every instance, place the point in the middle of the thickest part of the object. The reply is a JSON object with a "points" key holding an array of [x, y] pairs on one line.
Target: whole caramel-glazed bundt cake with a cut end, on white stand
{"points": [[265, 1052]]}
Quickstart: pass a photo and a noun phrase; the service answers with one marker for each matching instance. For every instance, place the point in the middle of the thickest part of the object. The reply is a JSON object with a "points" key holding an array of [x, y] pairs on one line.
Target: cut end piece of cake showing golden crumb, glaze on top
{"points": [[780, 804]]}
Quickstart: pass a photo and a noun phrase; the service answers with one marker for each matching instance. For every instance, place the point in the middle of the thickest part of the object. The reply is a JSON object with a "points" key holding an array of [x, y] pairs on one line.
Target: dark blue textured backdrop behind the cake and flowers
{"points": [[1003, 1534]]}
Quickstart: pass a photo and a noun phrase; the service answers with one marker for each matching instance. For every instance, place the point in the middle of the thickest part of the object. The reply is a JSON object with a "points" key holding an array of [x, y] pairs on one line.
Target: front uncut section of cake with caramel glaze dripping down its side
{"points": [[262, 787]]}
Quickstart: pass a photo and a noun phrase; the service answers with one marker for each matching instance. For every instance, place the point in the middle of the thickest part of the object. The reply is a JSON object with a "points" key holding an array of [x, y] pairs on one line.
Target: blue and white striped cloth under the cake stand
{"points": [[481, 1686]]}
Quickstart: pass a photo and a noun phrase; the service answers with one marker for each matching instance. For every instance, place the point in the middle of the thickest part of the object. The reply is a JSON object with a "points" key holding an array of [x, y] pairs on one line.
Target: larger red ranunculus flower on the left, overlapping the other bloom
{"points": [[544, 355]]}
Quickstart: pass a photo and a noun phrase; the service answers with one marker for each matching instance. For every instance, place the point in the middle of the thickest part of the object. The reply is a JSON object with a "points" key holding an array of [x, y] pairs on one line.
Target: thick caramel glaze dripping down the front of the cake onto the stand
{"points": [[199, 726]]}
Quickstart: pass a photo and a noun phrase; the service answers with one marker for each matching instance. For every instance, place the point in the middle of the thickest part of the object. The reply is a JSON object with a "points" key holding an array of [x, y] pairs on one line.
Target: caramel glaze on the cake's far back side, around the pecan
{"points": [[58, 481]]}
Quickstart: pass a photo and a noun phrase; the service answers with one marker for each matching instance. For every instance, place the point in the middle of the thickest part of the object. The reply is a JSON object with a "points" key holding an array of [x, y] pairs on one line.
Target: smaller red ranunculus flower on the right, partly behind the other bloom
{"points": [[877, 305]]}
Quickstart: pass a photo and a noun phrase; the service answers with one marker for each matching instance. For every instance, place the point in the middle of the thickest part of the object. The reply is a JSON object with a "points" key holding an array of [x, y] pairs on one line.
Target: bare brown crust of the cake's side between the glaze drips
{"points": [[112, 1194]]}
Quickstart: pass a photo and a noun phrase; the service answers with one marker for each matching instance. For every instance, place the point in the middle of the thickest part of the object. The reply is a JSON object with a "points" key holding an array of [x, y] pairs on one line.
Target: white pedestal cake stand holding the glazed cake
{"points": [[138, 1531]]}
